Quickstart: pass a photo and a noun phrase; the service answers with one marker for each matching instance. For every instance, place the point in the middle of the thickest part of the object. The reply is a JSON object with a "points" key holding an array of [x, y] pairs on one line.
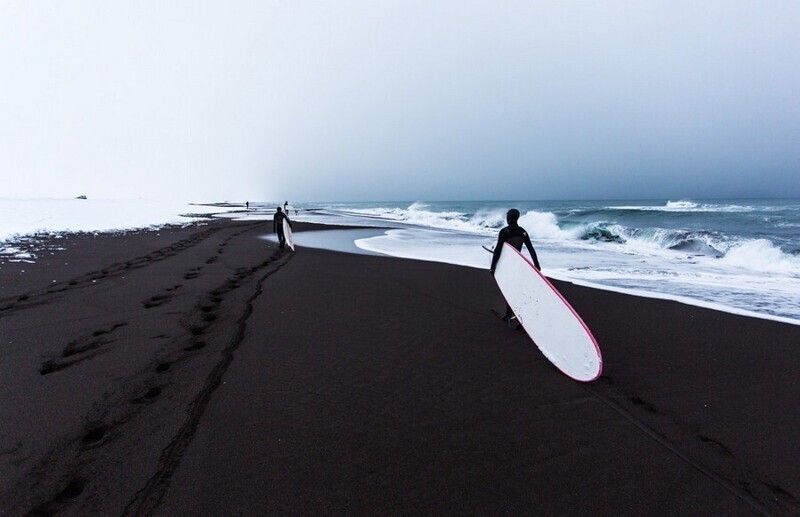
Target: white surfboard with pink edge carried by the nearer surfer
{"points": [[547, 317]]}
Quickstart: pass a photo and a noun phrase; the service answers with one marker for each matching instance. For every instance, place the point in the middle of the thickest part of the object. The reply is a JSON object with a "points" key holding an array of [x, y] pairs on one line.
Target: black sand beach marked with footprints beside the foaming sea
{"points": [[201, 371]]}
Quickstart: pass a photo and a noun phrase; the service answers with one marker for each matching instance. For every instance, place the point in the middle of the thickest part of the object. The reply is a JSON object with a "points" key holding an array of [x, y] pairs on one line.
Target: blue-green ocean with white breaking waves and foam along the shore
{"points": [[741, 256]]}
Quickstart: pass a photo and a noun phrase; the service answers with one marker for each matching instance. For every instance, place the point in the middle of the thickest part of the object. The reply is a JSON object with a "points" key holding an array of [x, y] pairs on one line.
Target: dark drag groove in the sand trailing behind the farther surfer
{"points": [[148, 498]]}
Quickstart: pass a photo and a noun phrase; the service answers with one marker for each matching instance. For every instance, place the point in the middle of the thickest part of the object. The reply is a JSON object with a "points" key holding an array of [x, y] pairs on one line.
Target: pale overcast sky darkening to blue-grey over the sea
{"points": [[399, 100]]}
